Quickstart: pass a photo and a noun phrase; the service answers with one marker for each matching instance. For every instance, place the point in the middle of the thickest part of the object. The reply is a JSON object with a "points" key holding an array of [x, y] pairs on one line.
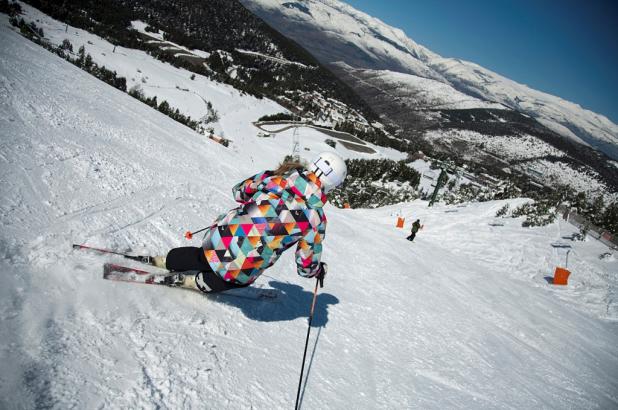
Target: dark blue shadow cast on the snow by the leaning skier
{"points": [[292, 302]]}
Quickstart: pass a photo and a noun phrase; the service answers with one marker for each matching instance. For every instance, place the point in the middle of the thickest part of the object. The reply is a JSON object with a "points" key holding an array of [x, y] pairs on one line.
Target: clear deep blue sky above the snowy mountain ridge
{"points": [[568, 48]]}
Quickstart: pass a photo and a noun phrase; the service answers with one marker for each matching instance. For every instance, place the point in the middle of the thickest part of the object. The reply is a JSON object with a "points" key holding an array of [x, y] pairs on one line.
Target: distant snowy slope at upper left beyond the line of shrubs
{"points": [[182, 89]]}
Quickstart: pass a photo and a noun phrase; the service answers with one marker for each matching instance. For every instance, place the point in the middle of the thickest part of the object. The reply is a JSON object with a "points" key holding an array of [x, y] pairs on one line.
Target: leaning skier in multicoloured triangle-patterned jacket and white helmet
{"points": [[279, 209]]}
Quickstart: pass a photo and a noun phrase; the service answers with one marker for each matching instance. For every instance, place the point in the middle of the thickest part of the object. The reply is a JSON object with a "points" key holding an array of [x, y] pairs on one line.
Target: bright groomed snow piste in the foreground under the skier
{"points": [[461, 318]]}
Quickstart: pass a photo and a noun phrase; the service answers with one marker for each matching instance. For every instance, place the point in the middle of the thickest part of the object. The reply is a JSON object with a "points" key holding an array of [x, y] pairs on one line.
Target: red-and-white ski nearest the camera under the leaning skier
{"points": [[112, 271]]}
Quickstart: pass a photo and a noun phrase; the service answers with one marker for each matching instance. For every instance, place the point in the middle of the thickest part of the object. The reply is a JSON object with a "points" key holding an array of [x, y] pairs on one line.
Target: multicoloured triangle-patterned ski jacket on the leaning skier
{"points": [[276, 213]]}
